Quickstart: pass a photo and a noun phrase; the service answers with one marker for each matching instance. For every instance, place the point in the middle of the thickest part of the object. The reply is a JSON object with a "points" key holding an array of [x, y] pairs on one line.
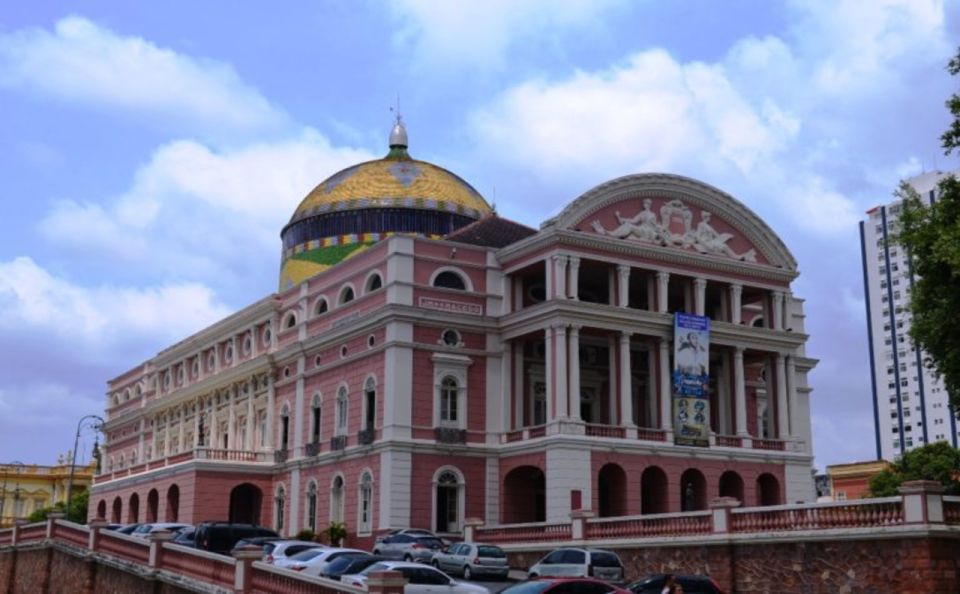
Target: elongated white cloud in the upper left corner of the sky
{"points": [[81, 61]]}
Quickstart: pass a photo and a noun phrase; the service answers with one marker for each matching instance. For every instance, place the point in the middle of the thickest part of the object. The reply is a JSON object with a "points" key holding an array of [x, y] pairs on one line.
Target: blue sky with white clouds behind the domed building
{"points": [[151, 152]]}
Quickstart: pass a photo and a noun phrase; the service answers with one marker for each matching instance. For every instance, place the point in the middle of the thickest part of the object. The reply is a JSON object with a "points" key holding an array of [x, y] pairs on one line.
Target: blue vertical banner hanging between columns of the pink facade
{"points": [[691, 378]]}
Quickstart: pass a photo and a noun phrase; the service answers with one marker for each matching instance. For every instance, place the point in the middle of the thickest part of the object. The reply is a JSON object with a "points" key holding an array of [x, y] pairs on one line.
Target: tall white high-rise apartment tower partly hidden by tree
{"points": [[910, 404]]}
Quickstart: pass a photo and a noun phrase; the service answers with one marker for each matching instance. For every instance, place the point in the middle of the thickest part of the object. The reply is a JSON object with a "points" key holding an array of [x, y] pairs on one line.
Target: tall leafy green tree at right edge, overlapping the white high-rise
{"points": [[931, 236]]}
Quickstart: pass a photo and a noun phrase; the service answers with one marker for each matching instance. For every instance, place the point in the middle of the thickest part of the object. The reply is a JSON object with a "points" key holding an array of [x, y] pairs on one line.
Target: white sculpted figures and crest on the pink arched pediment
{"points": [[674, 228]]}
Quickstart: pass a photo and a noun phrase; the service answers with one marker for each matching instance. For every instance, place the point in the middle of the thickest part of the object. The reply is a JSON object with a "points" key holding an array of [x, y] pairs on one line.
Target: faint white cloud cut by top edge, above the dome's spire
{"points": [[481, 33]]}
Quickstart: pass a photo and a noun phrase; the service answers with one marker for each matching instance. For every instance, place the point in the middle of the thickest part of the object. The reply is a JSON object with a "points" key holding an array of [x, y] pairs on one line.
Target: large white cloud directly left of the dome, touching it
{"points": [[182, 196]]}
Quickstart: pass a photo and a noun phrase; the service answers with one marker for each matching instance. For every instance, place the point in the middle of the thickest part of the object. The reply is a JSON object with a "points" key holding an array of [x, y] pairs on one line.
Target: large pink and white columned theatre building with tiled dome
{"points": [[427, 361]]}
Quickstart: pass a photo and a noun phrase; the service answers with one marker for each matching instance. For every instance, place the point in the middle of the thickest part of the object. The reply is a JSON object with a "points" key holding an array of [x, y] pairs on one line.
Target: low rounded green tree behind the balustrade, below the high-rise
{"points": [[937, 461]]}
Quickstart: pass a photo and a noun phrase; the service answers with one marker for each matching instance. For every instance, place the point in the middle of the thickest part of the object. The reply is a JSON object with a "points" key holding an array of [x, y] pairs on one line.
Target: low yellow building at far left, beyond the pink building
{"points": [[25, 488]]}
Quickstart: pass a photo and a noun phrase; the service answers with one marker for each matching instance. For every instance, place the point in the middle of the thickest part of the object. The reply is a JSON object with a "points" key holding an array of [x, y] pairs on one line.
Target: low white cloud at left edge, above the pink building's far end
{"points": [[104, 318]]}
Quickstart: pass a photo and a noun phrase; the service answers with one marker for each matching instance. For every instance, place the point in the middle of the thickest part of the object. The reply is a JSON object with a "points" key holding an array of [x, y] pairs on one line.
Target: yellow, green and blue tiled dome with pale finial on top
{"points": [[359, 206]]}
